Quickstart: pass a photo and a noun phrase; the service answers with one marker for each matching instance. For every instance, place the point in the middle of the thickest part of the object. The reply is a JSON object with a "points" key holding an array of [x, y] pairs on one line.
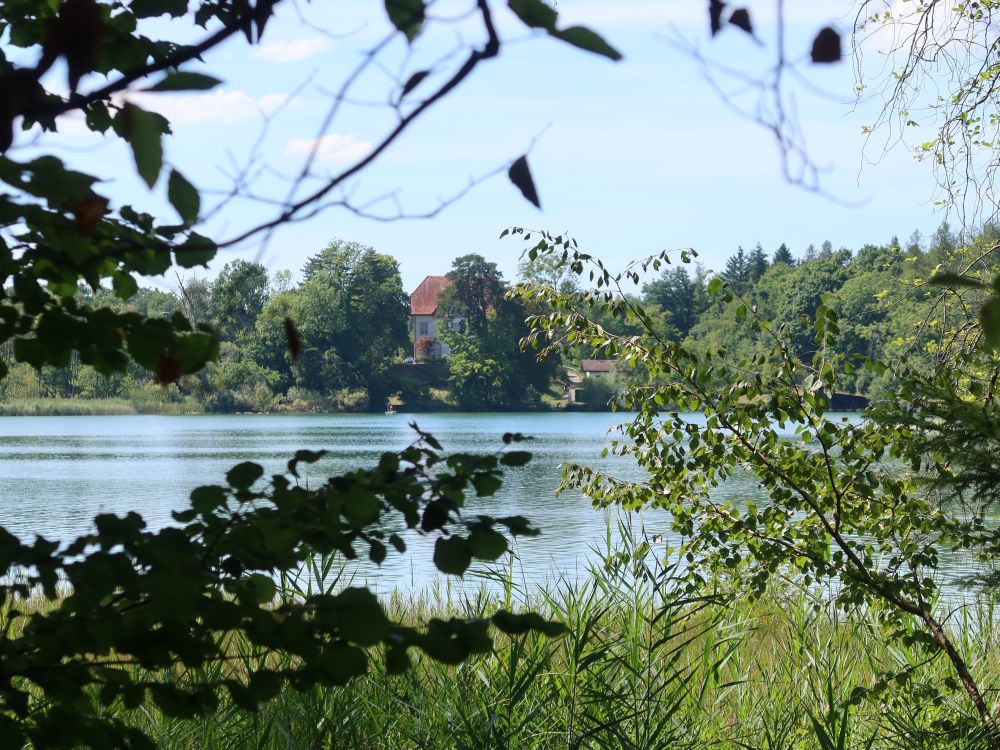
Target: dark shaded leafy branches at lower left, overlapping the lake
{"points": [[125, 597]]}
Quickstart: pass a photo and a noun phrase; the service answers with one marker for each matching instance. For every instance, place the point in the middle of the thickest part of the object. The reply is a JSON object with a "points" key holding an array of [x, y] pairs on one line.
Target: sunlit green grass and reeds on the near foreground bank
{"points": [[639, 667]]}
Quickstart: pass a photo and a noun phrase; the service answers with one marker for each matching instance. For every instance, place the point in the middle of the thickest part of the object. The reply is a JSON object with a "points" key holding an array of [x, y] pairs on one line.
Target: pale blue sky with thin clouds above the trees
{"points": [[629, 157]]}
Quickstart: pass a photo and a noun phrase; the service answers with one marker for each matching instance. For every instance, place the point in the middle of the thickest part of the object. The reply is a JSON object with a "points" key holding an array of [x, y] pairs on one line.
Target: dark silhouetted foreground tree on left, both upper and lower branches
{"points": [[164, 599]]}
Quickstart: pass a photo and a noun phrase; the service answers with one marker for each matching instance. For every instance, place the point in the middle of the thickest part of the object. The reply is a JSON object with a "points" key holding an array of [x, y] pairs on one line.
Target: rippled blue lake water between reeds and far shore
{"points": [[56, 473]]}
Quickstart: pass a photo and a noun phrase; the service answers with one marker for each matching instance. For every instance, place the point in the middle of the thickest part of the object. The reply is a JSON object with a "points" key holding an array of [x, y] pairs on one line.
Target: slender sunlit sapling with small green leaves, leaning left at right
{"points": [[830, 509]]}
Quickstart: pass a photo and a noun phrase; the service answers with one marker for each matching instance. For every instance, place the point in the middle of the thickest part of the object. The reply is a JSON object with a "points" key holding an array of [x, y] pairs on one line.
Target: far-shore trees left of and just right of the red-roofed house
{"points": [[333, 342]]}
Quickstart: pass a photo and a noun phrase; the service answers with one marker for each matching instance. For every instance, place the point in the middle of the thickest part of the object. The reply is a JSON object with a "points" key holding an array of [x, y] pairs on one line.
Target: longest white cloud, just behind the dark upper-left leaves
{"points": [[218, 107]]}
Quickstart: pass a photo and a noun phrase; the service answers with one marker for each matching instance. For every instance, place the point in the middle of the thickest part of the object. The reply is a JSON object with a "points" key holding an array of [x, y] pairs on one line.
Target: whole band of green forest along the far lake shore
{"points": [[352, 315]]}
